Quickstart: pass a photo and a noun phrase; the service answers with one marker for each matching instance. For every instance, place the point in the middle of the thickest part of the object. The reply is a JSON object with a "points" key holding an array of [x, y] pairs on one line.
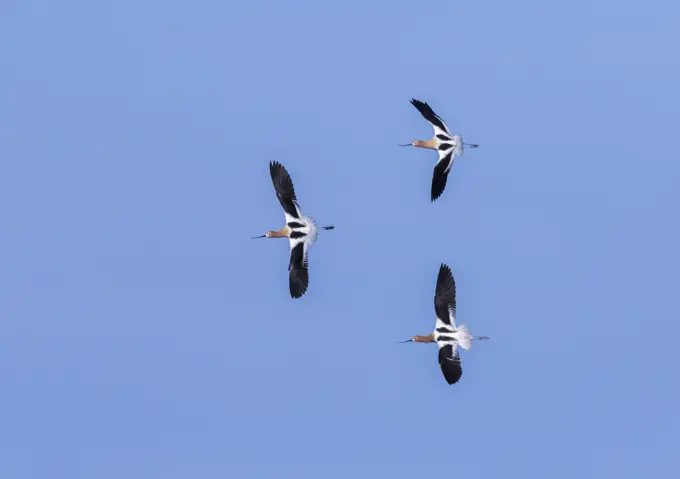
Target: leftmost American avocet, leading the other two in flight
{"points": [[300, 230]]}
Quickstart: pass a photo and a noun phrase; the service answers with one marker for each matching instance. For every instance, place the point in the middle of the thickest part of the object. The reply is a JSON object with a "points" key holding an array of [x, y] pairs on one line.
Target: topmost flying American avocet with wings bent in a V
{"points": [[447, 145]]}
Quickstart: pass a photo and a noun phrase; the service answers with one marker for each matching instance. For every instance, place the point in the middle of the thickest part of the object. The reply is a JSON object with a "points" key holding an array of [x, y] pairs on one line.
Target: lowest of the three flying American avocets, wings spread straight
{"points": [[446, 334]]}
